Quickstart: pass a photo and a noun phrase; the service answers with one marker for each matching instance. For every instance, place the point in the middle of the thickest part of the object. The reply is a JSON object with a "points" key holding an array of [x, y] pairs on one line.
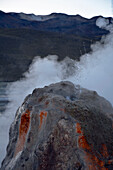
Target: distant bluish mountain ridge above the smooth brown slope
{"points": [[55, 22]]}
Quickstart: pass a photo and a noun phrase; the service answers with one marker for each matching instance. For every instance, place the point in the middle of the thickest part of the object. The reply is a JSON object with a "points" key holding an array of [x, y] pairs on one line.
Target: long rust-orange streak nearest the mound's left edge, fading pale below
{"points": [[23, 129]]}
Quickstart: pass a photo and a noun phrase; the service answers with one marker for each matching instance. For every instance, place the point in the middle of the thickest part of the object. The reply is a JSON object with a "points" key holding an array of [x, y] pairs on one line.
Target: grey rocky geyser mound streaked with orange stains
{"points": [[61, 127]]}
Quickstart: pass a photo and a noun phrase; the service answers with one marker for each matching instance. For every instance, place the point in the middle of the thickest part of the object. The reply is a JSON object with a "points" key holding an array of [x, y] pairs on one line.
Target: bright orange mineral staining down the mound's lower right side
{"points": [[92, 162]]}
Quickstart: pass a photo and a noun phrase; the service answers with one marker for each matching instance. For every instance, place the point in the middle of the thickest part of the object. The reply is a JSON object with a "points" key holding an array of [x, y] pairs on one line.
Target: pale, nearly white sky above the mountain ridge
{"points": [[86, 8]]}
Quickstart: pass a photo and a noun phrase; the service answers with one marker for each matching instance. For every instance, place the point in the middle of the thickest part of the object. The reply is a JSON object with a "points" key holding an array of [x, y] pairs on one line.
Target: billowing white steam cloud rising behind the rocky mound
{"points": [[94, 71]]}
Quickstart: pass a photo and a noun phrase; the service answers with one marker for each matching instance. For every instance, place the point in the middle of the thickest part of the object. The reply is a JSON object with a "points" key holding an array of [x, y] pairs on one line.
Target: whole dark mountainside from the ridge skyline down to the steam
{"points": [[24, 36]]}
